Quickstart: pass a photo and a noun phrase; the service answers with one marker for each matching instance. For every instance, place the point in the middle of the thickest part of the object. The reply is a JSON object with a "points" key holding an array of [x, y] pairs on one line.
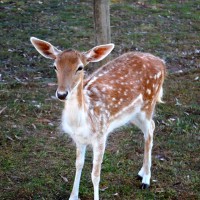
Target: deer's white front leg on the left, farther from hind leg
{"points": [[80, 157]]}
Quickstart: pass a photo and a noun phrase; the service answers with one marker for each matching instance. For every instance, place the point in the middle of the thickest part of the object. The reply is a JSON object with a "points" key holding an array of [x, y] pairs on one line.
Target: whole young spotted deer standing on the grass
{"points": [[124, 90]]}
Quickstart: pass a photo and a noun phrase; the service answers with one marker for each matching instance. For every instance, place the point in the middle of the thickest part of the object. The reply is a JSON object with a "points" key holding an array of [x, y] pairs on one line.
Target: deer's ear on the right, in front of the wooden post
{"points": [[98, 53]]}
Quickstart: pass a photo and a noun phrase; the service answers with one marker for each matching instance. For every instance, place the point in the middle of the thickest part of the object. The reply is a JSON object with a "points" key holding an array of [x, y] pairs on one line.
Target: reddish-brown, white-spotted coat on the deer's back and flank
{"points": [[118, 83]]}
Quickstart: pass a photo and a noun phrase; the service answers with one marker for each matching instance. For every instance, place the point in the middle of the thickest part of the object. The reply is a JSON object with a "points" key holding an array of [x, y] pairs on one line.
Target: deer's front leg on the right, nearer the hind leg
{"points": [[98, 152]]}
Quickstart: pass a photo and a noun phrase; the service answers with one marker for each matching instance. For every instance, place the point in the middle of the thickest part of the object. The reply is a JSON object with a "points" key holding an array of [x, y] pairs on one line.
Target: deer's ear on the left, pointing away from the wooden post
{"points": [[45, 48]]}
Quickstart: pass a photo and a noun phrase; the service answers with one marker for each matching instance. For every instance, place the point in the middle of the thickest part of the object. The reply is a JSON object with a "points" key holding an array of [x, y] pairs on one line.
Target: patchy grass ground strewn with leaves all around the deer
{"points": [[35, 158]]}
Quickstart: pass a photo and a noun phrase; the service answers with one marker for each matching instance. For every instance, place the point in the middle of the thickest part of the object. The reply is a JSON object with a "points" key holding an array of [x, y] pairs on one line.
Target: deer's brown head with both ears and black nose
{"points": [[69, 64]]}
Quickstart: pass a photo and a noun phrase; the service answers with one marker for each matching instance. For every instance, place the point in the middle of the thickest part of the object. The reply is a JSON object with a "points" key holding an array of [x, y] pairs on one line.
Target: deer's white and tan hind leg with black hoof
{"points": [[147, 126]]}
